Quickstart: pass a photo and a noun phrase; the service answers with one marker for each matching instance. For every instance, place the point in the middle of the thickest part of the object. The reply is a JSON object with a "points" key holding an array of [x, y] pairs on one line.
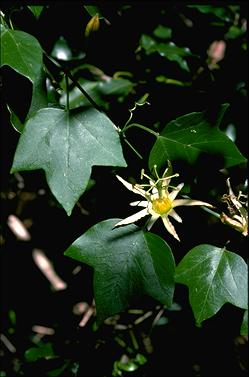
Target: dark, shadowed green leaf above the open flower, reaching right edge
{"points": [[186, 137]]}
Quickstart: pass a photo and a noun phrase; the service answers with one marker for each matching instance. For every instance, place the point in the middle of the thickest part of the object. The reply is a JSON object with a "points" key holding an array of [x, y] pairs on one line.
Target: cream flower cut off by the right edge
{"points": [[238, 211]]}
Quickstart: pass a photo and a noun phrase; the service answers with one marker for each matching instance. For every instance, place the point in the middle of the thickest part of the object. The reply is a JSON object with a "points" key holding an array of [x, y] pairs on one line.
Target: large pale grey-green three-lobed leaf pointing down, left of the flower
{"points": [[66, 146]]}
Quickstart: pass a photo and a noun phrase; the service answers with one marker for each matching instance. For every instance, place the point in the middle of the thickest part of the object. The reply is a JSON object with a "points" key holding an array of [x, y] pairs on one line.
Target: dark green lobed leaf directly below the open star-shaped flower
{"points": [[127, 262]]}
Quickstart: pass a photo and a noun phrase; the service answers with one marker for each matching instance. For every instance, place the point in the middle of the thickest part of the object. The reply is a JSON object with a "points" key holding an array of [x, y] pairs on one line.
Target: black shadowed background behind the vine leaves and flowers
{"points": [[180, 348]]}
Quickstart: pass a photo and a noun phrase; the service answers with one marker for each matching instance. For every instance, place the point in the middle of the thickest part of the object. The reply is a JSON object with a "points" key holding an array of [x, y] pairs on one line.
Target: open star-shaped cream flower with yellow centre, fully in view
{"points": [[159, 202]]}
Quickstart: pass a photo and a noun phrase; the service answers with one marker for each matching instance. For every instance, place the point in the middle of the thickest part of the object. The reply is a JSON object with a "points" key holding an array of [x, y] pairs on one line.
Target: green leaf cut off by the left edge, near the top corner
{"points": [[21, 51]]}
